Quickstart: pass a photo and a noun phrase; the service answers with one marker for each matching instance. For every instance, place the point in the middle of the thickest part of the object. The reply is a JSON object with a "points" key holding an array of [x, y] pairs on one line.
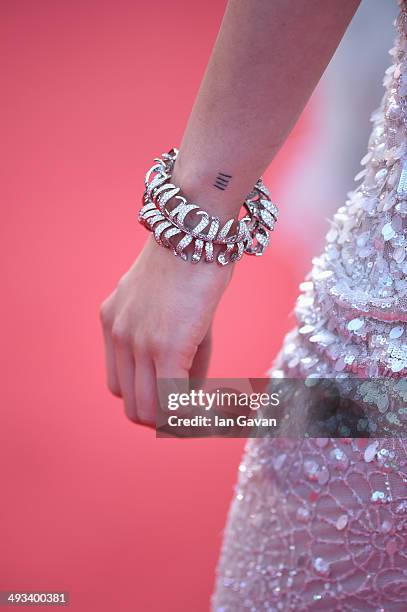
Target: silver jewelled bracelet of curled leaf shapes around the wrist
{"points": [[252, 231]]}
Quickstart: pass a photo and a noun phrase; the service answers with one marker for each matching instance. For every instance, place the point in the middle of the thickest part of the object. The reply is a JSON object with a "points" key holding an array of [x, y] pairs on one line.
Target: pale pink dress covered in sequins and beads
{"points": [[321, 523]]}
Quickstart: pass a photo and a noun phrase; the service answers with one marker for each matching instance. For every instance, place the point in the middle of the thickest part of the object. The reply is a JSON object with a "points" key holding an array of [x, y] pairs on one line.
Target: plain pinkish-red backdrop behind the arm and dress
{"points": [[91, 503]]}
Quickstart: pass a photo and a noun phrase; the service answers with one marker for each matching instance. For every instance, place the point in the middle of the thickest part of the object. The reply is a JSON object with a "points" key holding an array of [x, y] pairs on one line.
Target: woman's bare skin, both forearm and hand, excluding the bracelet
{"points": [[266, 62]]}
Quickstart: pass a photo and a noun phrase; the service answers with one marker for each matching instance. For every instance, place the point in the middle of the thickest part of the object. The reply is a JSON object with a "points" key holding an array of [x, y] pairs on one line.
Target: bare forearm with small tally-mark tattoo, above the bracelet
{"points": [[265, 64]]}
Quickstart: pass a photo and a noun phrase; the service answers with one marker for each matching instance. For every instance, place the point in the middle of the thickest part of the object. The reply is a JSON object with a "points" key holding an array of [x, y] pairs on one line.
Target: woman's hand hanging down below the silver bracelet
{"points": [[157, 324]]}
